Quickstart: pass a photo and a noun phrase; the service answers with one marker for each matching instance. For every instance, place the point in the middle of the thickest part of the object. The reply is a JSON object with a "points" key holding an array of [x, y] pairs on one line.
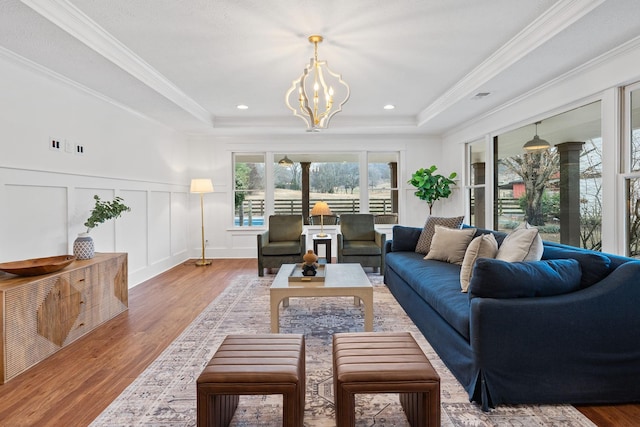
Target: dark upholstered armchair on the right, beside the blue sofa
{"points": [[359, 241]]}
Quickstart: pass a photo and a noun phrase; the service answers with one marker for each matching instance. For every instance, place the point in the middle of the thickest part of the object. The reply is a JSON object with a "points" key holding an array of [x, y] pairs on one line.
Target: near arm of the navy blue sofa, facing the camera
{"points": [[580, 347]]}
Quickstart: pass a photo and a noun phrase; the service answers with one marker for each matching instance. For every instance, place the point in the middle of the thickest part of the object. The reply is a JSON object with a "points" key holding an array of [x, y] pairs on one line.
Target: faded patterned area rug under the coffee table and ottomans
{"points": [[165, 393]]}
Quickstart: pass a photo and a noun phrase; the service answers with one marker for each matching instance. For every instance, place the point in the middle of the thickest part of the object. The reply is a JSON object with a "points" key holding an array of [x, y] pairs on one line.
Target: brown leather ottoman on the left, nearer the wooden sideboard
{"points": [[253, 364]]}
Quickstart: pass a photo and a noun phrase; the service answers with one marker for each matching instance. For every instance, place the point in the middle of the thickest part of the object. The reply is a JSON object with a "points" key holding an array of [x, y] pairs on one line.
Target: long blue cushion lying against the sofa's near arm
{"points": [[493, 278]]}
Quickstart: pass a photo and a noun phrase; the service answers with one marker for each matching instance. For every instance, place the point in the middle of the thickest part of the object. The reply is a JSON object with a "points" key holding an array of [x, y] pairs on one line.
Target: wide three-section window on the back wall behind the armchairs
{"points": [[305, 178]]}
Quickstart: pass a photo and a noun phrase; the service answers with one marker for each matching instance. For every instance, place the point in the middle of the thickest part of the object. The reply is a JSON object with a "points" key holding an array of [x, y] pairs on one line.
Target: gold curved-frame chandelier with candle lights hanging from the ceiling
{"points": [[311, 96]]}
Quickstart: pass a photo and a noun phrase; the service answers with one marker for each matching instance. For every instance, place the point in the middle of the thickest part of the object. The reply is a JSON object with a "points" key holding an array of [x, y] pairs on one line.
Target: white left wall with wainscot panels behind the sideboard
{"points": [[45, 195]]}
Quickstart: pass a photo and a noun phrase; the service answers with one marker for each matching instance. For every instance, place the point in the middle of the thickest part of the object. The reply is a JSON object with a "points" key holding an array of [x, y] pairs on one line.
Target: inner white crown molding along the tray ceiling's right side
{"points": [[560, 16]]}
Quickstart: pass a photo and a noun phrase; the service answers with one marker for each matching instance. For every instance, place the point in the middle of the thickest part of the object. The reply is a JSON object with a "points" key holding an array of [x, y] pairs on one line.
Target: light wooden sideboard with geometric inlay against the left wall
{"points": [[42, 314]]}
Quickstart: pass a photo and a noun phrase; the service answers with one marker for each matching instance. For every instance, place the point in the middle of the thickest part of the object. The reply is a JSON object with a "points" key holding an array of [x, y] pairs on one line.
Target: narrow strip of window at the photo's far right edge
{"points": [[632, 169]]}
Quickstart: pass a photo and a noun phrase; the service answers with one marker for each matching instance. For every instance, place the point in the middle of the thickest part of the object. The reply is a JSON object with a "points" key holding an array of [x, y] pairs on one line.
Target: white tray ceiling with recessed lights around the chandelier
{"points": [[187, 64]]}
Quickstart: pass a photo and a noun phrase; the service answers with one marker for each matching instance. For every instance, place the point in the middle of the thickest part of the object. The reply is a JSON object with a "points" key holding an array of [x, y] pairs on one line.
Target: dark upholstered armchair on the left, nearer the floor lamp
{"points": [[282, 243]]}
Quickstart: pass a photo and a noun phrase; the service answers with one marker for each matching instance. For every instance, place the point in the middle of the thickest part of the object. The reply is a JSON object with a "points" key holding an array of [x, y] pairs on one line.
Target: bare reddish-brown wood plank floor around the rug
{"points": [[73, 386]]}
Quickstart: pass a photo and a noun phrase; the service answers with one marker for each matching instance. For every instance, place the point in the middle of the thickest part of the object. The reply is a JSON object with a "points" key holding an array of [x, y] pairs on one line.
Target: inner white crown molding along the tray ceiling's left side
{"points": [[72, 20]]}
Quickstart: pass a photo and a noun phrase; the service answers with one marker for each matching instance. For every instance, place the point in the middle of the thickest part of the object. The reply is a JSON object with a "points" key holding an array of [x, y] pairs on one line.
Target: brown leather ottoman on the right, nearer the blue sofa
{"points": [[381, 362]]}
